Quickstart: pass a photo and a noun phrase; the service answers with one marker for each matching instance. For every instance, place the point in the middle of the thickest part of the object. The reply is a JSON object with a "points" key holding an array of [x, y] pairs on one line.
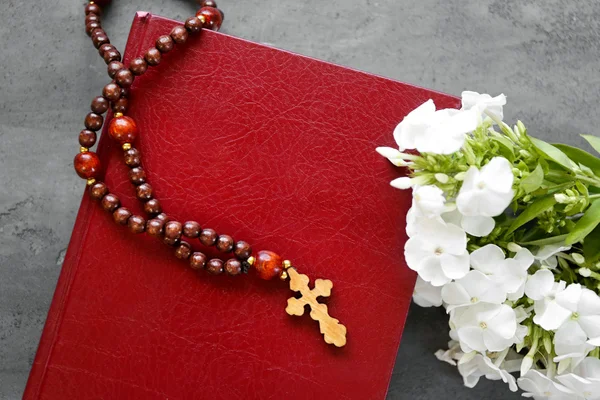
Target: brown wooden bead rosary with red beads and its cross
{"points": [[123, 130]]}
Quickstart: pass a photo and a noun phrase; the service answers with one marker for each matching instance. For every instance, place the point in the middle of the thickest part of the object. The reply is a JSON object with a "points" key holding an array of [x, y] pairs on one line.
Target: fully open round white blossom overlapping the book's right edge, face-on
{"points": [[438, 252]]}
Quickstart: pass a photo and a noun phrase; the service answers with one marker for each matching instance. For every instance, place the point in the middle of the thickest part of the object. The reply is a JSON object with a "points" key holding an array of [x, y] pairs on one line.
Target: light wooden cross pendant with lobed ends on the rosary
{"points": [[334, 332]]}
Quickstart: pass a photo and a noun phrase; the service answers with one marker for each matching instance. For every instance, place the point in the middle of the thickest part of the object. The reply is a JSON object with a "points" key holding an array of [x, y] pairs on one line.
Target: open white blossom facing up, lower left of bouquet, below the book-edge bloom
{"points": [[485, 327]]}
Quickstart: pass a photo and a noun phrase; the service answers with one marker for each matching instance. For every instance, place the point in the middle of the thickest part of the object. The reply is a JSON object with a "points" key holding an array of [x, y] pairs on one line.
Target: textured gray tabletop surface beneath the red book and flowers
{"points": [[541, 53]]}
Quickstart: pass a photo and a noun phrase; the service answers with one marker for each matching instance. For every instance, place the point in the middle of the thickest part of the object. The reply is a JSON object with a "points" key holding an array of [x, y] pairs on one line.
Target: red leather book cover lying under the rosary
{"points": [[270, 147]]}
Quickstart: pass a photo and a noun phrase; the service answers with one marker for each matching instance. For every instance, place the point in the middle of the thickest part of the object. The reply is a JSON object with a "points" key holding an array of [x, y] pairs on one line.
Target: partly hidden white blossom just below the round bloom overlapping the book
{"points": [[473, 288]]}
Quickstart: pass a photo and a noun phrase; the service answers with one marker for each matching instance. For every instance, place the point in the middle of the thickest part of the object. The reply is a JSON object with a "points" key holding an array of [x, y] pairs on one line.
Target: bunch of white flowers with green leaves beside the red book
{"points": [[504, 233]]}
